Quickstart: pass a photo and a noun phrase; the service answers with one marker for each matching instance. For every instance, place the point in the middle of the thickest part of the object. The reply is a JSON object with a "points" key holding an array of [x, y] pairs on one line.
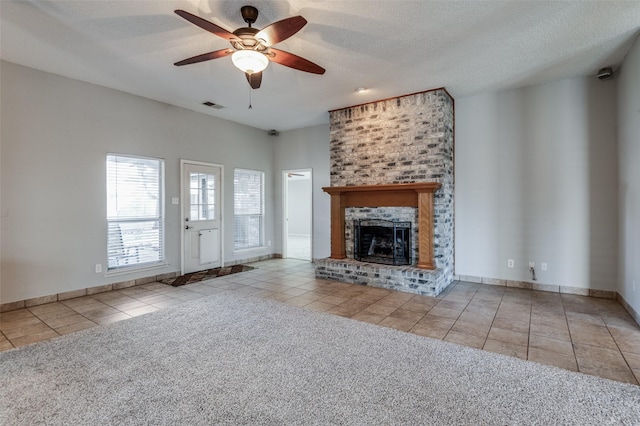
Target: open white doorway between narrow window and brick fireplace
{"points": [[297, 214]]}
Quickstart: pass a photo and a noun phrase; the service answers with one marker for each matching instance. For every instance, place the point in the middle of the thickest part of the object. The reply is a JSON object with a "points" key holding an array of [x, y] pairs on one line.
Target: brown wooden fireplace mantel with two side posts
{"points": [[419, 195]]}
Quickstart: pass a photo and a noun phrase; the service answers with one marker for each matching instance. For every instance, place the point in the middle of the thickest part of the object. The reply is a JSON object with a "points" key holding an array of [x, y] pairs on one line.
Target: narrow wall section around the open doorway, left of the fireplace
{"points": [[306, 148]]}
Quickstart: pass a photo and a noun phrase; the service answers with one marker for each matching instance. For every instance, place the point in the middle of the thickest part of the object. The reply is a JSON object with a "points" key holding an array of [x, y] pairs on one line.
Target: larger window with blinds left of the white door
{"points": [[135, 192]]}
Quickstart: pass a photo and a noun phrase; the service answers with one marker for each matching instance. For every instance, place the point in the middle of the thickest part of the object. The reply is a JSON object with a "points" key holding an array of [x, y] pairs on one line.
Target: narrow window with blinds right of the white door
{"points": [[248, 208]]}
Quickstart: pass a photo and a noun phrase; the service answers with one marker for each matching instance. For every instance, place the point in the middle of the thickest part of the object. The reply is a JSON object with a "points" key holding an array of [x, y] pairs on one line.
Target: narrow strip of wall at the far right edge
{"points": [[629, 185]]}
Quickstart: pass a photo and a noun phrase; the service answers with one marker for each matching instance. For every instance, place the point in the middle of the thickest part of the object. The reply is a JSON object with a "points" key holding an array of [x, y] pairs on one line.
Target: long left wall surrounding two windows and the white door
{"points": [[55, 135]]}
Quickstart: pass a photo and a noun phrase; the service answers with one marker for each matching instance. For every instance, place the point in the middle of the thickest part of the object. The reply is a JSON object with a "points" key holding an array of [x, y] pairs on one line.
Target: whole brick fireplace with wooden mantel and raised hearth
{"points": [[393, 160]]}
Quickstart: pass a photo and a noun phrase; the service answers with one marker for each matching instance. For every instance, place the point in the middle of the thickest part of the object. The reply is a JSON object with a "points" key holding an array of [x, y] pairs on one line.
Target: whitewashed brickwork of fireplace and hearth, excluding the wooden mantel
{"points": [[408, 139]]}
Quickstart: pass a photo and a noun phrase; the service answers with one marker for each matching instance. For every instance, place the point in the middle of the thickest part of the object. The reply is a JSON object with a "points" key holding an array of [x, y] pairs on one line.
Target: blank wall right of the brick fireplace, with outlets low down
{"points": [[535, 180]]}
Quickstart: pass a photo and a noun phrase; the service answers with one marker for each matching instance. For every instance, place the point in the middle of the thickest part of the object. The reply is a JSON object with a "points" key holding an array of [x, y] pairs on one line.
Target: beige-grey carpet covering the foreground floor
{"points": [[234, 359]]}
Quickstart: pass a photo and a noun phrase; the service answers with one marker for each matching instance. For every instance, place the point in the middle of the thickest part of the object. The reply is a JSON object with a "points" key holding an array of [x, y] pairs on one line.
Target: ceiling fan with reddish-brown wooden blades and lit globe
{"points": [[252, 48]]}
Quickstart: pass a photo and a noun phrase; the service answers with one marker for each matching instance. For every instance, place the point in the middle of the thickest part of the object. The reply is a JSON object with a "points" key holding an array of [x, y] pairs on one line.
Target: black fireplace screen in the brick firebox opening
{"points": [[382, 241]]}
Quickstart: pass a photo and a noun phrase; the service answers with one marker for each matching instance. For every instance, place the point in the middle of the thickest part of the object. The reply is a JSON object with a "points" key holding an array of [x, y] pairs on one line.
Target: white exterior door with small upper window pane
{"points": [[201, 216]]}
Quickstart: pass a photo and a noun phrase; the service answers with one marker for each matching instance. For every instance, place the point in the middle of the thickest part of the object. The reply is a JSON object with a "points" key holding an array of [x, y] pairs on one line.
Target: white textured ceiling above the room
{"points": [[391, 47]]}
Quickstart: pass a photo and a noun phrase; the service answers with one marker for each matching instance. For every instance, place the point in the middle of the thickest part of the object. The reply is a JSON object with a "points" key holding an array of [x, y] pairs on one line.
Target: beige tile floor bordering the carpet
{"points": [[589, 335]]}
